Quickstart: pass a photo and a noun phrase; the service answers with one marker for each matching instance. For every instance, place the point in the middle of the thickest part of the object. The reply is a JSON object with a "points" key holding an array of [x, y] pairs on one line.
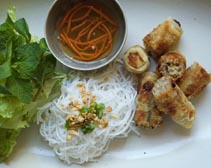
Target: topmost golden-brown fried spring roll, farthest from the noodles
{"points": [[163, 37]]}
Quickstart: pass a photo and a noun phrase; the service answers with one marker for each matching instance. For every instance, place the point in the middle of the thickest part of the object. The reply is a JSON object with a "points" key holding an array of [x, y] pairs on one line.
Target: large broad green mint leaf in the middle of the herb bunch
{"points": [[26, 60]]}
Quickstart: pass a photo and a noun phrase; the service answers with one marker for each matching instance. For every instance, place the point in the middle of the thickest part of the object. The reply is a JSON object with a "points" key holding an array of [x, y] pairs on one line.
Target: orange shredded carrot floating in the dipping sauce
{"points": [[88, 32]]}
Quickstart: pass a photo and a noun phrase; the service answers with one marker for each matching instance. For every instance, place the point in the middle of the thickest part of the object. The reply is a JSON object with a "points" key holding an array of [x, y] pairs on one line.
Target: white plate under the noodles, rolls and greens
{"points": [[170, 144]]}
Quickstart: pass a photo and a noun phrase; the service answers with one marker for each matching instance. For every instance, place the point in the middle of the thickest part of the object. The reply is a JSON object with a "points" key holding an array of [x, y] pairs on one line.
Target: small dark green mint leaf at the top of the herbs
{"points": [[22, 27]]}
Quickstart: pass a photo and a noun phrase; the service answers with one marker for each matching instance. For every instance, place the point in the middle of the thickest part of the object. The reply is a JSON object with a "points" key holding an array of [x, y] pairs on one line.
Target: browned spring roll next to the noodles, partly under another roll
{"points": [[147, 114]]}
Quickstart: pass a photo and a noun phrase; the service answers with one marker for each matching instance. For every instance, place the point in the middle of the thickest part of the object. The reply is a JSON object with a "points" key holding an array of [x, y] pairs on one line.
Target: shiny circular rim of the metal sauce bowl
{"points": [[91, 67]]}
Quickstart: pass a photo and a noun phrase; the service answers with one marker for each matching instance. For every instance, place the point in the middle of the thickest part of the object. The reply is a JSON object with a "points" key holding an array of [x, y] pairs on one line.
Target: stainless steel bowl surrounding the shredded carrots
{"points": [[58, 10]]}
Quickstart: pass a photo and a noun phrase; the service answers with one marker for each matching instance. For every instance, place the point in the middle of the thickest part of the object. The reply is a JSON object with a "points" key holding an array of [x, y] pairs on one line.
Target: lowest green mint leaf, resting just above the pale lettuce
{"points": [[21, 88]]}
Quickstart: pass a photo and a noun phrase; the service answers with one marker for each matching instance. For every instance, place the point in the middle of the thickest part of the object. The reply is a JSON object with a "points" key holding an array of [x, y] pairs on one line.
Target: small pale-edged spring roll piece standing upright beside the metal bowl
{"points": [[136, 60]]}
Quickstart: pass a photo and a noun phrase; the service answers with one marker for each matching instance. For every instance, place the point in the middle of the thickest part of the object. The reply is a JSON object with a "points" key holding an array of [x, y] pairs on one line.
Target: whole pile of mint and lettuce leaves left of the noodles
{"points": [[27, 79]]}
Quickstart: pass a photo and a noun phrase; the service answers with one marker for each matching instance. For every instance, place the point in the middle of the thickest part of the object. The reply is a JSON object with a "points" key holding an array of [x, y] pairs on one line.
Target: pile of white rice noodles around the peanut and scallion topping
{"points": [[114, 87]]}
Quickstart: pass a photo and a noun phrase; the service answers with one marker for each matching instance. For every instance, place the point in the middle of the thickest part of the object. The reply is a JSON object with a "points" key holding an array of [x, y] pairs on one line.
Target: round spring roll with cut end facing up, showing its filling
{"points": [[172, 64]]}
